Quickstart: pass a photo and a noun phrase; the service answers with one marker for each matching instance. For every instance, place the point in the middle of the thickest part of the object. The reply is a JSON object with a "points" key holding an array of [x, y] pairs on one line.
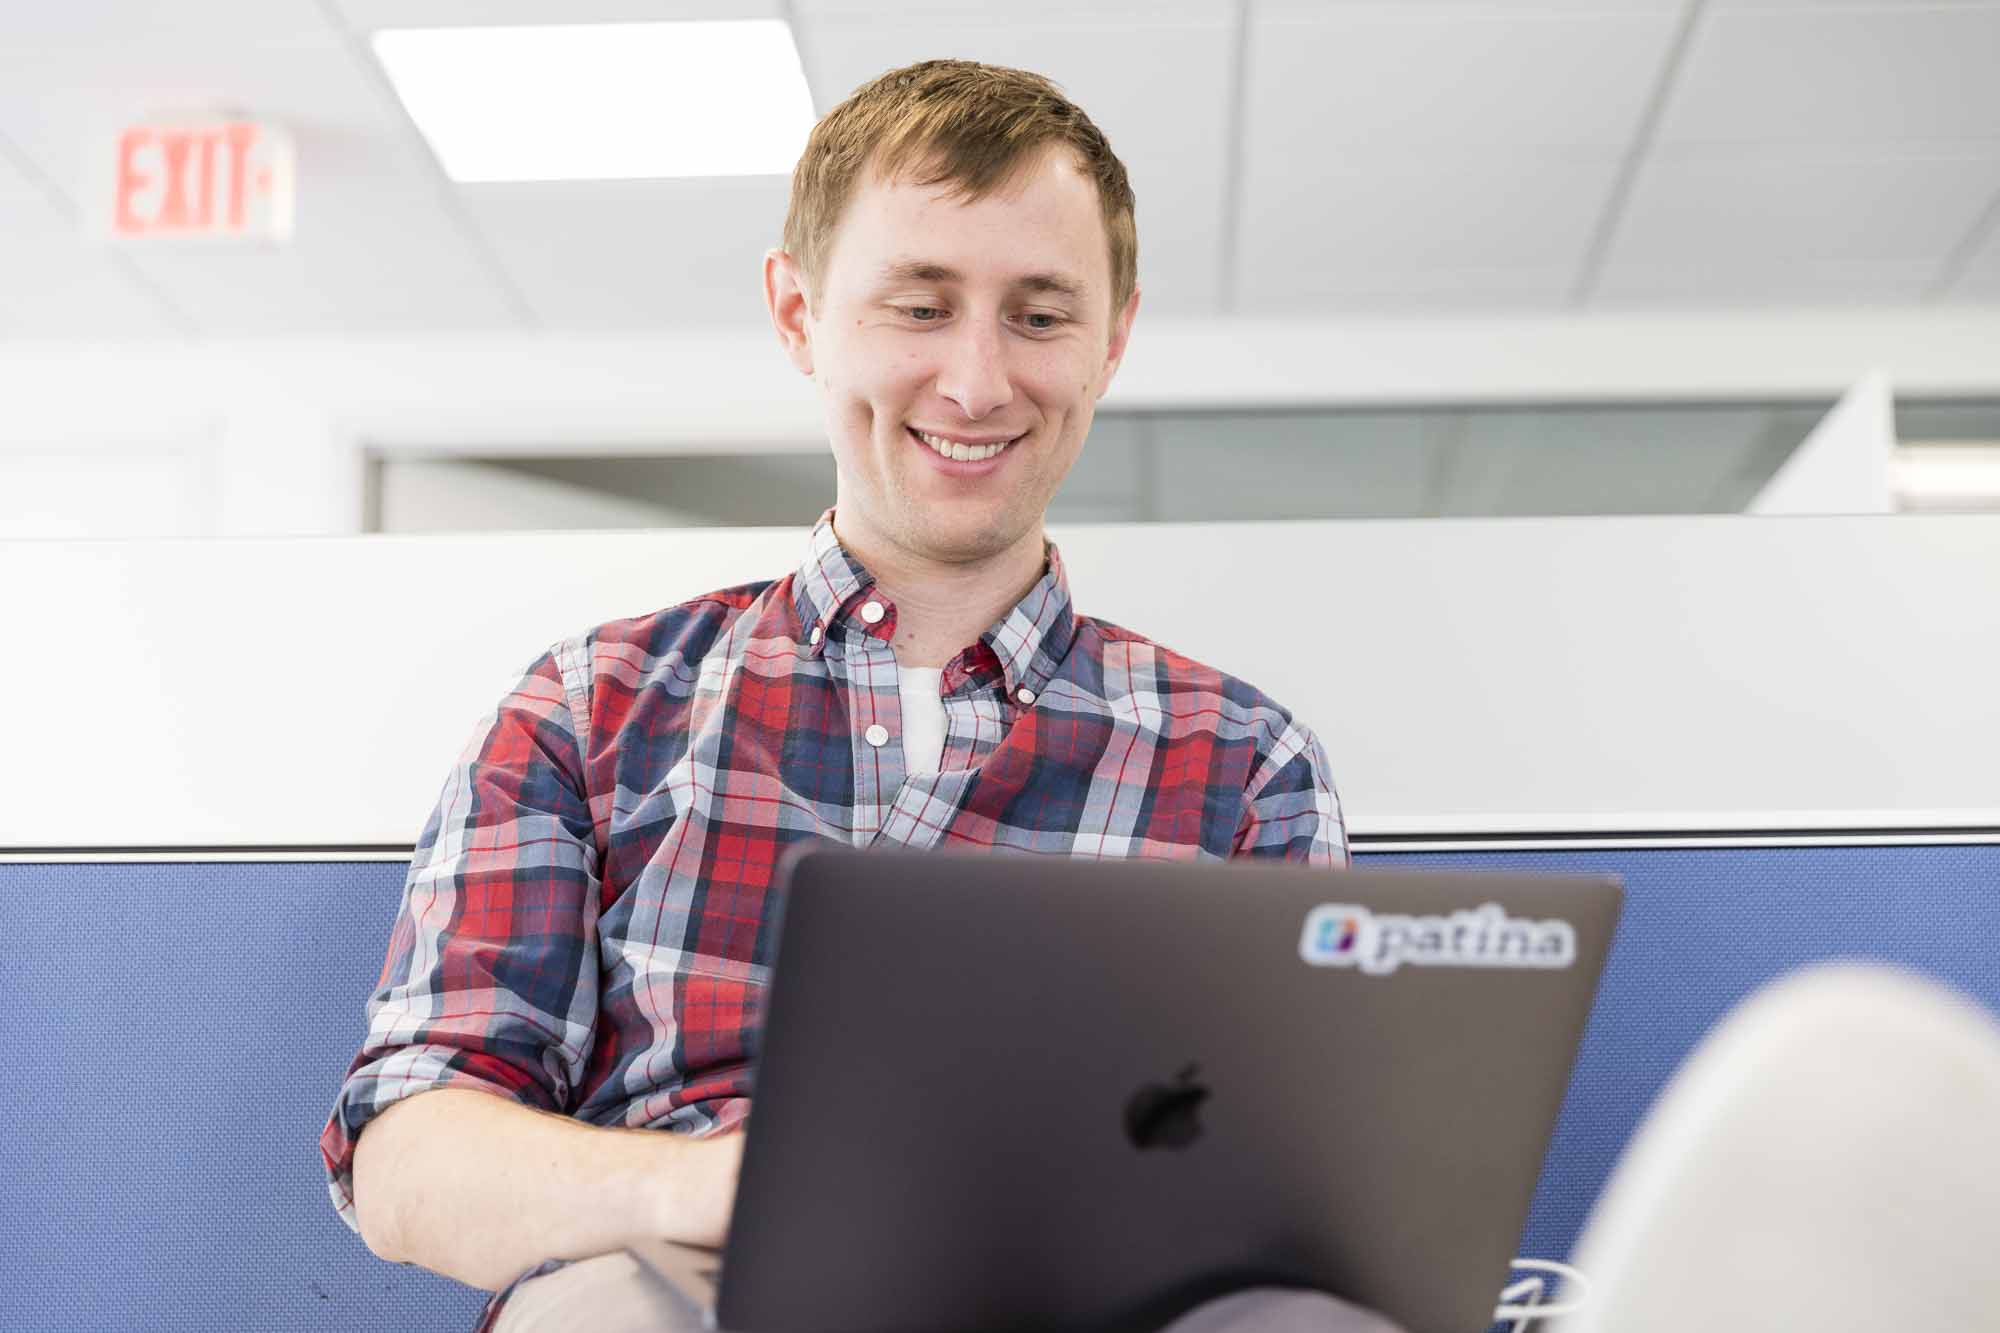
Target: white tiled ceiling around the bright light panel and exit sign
{"points": [[1291, 159]]}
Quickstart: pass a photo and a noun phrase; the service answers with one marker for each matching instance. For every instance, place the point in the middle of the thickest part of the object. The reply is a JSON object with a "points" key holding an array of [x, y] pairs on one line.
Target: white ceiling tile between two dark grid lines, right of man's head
{"points": [[1433, 157]]}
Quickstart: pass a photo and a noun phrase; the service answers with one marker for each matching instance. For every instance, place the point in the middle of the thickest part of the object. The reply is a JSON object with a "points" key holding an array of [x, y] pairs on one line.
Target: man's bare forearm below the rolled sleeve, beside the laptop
{"points": [[481, 1188]]}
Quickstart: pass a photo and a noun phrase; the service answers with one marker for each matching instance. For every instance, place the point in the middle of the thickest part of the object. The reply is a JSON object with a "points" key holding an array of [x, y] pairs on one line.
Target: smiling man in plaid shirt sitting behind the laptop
{"points": [[585, 934]]}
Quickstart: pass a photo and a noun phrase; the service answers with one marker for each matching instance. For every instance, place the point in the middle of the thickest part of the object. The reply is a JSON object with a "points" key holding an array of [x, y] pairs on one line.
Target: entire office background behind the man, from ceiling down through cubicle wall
{"points": [[1475, 331]]}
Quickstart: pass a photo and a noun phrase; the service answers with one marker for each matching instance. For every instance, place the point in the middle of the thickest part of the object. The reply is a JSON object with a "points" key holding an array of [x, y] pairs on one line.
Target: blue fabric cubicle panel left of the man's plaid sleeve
{"points": [[179, 1038]]}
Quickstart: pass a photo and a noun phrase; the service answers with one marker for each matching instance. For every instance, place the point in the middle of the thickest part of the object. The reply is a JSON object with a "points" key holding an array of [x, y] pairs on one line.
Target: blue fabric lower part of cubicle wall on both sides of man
{"points": [[181, 1032]]}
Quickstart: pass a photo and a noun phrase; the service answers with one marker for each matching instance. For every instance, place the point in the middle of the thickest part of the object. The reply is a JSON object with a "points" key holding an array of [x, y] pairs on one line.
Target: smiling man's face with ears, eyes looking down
{"points": [[983, 327]]}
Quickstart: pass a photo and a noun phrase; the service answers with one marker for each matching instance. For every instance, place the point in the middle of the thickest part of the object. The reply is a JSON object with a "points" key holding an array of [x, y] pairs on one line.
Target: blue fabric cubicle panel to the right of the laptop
{"points": [[1703, 930]]}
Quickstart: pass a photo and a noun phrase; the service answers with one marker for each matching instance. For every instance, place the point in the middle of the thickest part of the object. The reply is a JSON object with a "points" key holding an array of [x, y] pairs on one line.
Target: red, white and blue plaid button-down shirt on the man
{"points": [[587, 924]]}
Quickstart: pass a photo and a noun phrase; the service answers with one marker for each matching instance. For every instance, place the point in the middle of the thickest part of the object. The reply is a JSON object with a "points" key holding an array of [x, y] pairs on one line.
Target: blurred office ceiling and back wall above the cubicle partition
{"points": [[1365, 229]]}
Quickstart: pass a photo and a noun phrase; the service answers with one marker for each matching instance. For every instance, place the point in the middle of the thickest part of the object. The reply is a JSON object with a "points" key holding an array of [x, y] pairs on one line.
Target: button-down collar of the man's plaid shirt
{"points": [[1029, 641]]}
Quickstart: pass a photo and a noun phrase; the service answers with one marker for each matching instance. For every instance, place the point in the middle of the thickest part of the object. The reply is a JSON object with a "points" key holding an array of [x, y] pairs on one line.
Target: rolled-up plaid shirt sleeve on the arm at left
{"points": [[491, 980]]}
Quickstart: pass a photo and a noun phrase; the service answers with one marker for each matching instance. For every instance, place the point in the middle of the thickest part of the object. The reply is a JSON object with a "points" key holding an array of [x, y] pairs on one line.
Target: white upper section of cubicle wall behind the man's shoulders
{"points": [[1469, 678]]}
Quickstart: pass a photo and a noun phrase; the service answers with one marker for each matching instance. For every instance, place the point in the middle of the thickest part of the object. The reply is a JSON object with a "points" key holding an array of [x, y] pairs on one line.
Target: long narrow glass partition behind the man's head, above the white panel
{"points": [[1175, 467]]}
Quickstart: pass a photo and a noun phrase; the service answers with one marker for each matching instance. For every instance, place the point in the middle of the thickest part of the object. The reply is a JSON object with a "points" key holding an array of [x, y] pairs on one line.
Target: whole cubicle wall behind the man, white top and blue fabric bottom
{"points": [[1779, 734]]}
